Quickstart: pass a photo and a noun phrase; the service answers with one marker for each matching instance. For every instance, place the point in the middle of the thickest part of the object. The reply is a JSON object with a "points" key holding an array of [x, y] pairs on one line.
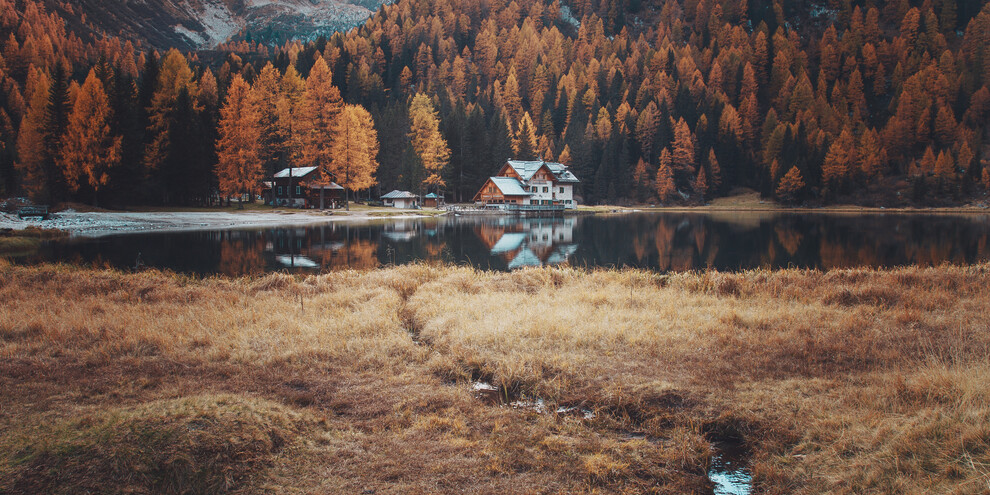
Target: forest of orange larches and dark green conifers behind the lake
{"points": [[876, 102]]}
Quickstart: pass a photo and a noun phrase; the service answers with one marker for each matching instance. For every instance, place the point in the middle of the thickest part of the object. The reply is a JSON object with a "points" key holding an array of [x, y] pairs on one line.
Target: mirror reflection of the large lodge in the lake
{"points": [[529, 242]]}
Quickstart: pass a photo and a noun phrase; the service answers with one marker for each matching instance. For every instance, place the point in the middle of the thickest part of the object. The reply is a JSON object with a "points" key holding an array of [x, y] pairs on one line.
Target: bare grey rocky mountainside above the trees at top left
{"points": [[204, 24]]}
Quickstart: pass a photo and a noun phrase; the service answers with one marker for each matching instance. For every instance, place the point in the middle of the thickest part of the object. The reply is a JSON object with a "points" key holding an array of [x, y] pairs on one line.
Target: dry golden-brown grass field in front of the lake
{"points": [[849, 381]]}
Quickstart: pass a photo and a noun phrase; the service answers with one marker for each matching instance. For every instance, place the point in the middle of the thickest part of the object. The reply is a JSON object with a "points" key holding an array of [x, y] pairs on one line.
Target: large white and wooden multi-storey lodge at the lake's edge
{"points": [[524, 183]]}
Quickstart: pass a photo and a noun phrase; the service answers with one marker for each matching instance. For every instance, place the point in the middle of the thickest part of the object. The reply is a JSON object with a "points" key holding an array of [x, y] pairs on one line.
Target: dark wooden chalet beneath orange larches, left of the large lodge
{"points": [[299, 187]]}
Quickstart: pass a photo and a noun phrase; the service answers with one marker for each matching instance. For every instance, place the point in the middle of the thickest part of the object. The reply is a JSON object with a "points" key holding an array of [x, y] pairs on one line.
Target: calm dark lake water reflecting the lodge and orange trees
{"points": [[656, 241]]}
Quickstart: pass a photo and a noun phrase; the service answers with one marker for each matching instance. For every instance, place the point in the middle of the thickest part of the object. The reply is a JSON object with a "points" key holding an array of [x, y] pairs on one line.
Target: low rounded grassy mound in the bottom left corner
{"points": [[200, 444]]}
